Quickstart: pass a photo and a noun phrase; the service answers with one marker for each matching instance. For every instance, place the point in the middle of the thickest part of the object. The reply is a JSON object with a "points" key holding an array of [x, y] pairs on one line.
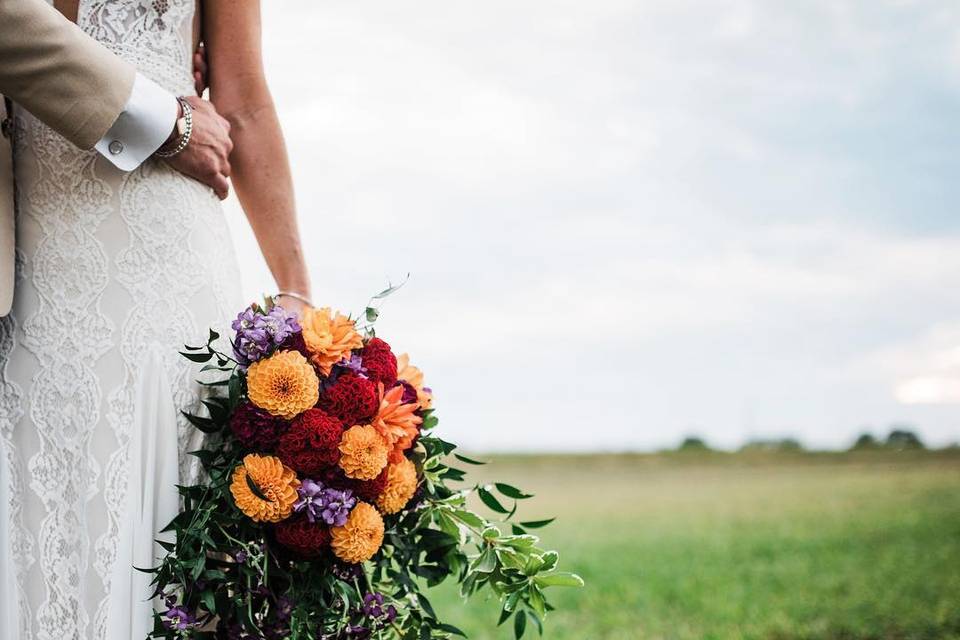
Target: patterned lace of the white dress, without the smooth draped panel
{"points": [[171, 255]]}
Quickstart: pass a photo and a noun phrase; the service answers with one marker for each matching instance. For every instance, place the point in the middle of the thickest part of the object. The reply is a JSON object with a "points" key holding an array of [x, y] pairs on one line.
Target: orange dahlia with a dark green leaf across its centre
{"points": [[263, 488]]}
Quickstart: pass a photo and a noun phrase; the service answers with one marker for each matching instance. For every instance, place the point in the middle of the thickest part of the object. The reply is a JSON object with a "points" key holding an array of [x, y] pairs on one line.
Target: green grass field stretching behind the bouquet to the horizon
{"points": [[781, 546]]}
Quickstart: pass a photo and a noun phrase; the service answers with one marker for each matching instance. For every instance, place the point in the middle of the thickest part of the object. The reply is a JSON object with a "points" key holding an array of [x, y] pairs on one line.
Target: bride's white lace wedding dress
{"points": [[115, 273]]}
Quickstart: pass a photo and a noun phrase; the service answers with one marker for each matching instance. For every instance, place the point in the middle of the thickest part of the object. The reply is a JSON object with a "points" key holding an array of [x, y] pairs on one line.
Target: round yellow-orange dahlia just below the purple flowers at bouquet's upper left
{"points": [[284, 384]]}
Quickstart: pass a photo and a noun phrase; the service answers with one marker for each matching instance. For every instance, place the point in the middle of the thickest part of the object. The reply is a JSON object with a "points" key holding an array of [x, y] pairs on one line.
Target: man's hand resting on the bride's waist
{"points": [[206, 157]]}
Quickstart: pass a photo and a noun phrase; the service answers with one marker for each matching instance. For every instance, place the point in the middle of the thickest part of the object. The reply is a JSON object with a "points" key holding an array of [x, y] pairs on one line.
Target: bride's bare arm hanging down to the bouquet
{"points": [[260, 169]]}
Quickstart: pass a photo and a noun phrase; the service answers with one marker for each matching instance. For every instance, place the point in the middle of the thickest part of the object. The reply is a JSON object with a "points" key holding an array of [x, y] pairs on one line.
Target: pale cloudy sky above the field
{"points": [[629, 221]]}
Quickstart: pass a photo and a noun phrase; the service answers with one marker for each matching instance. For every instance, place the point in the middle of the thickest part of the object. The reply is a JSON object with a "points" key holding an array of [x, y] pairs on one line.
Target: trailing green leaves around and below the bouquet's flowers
{"points": [[225, 567]]}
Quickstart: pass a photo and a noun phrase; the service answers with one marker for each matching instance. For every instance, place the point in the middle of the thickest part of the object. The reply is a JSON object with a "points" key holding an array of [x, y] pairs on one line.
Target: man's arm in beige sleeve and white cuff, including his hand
{"points": [[95, 99]]}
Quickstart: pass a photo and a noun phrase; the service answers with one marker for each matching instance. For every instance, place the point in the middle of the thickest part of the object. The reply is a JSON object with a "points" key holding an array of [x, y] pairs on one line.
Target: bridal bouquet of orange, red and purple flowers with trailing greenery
{"points": [[327, 508]]}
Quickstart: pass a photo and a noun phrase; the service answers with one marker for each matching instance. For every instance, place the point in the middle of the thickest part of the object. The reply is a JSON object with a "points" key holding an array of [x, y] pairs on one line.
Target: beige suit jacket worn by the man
{"points": [[63, 77]]}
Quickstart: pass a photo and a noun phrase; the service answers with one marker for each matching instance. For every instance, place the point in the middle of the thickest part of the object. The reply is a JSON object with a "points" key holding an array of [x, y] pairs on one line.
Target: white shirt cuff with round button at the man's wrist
{"points": [[145, 123]]}
